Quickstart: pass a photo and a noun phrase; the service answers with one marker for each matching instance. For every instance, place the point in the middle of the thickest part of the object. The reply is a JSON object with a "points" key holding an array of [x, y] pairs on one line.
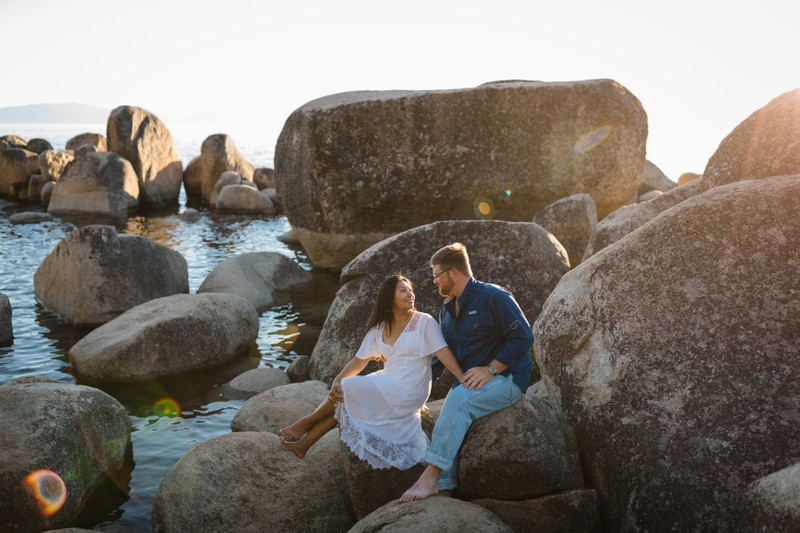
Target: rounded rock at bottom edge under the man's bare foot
{"points": [[437, 514]]}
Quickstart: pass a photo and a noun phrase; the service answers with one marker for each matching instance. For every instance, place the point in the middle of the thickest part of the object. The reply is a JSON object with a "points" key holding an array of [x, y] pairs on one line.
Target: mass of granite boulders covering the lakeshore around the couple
{"points": [[666, 317]]}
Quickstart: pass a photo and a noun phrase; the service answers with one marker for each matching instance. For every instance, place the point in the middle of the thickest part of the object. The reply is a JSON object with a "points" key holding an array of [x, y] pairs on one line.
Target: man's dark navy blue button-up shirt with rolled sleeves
{"points": [[490, 325]]}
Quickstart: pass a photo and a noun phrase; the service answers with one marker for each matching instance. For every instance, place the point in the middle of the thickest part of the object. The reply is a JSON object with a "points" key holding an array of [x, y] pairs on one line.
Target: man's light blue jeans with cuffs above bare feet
{"points": [[461, 408]]}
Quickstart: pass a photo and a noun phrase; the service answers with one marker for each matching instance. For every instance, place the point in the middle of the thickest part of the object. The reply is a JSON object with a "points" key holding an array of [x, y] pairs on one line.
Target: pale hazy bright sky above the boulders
{"points": [[698, 67]]}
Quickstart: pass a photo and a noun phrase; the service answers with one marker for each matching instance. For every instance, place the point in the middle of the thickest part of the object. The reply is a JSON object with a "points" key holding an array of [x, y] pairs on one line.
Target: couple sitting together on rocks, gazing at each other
{"points": [[482, 337]]}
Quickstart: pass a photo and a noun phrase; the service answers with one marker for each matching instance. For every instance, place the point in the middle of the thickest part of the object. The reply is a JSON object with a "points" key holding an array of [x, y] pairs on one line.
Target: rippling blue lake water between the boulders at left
{"points": [[41, 340]]}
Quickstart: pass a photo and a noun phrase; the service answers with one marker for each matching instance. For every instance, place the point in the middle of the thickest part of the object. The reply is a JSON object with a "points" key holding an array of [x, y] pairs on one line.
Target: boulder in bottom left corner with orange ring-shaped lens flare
{"points": [[58, 444]]}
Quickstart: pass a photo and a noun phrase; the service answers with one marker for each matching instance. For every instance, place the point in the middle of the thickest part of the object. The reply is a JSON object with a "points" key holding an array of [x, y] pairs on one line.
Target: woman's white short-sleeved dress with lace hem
{"points": [[379, 418]]}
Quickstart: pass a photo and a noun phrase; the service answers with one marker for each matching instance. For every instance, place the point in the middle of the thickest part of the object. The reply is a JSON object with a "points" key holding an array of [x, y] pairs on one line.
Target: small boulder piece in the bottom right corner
{"points": [[772, 503]]}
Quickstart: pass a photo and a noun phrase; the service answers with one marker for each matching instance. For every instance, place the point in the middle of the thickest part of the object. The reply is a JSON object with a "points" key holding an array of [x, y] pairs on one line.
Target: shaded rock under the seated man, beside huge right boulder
{"points": [[518, 453]]}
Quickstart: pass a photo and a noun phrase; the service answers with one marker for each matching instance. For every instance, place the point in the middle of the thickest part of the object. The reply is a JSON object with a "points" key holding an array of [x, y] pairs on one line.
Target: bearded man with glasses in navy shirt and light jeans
{"points": [[490, 336]]}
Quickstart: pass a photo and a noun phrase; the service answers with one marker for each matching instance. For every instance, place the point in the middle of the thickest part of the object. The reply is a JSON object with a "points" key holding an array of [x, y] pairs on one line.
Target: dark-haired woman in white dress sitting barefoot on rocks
{"points": [[379, 412]]}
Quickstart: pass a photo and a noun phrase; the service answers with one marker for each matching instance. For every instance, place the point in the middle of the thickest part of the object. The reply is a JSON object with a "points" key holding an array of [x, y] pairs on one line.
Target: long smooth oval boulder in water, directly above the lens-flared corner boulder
{"points": [[167, 336]]}
